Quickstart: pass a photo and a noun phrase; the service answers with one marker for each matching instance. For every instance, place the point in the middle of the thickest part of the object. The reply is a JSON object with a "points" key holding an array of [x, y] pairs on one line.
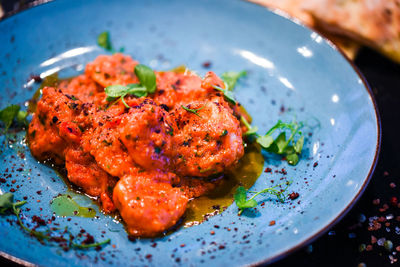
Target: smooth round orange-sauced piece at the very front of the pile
{"points": [[148, 207]]}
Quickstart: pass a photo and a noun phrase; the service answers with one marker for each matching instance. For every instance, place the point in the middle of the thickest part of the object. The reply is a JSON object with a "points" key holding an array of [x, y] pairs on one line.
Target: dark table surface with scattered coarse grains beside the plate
{"points": [[369, 235]]}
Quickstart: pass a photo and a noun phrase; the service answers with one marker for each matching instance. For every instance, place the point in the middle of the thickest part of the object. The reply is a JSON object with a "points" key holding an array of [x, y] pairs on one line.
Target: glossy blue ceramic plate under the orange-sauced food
{"points": [[292, 71]]}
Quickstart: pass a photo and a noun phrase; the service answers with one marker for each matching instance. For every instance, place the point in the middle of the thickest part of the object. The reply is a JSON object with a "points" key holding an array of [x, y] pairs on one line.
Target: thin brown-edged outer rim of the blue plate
{"points": [[343, 212]]}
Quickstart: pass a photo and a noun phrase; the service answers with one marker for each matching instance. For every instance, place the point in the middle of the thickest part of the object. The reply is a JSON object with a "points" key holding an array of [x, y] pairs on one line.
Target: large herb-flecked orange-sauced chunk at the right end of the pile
{"points": [[208, 139]]}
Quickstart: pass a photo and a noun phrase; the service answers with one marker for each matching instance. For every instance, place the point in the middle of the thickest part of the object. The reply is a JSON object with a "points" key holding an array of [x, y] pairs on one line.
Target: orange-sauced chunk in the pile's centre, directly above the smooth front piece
{"points": [[146, 131]]}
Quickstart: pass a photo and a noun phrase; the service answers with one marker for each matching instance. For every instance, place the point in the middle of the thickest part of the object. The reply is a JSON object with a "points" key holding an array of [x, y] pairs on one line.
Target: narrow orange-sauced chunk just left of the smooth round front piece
{"points": [[83, 171]]}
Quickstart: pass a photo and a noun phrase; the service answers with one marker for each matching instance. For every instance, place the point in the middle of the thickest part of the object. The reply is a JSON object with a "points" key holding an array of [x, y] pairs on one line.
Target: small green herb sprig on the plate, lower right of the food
{"points": [[243, 203]]}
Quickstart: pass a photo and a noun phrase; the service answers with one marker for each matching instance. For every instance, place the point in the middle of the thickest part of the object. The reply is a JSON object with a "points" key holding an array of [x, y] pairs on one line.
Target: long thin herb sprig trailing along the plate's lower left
{"points": [[7, 205]]}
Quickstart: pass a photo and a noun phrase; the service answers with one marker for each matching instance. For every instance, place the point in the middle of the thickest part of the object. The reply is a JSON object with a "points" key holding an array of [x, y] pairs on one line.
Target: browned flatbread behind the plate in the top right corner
{"points": [[374, 23]]}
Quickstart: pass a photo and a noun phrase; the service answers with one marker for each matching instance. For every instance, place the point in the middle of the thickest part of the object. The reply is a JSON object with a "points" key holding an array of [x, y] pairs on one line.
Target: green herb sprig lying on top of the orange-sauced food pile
{"points": [[147, 85]]}
